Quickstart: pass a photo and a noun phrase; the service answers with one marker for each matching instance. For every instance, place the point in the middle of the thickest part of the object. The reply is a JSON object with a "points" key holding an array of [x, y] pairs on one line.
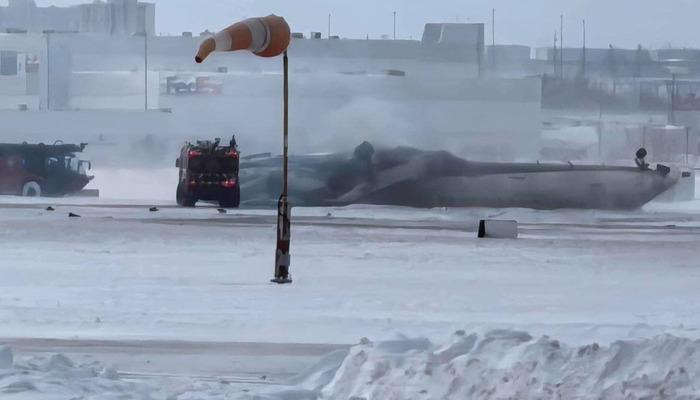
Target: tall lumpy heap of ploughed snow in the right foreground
{"points": [[510, 364]]}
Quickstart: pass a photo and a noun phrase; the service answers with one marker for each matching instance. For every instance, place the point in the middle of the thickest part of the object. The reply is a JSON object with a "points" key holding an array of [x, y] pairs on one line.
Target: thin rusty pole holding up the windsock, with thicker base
{"points": [[284, 229]]}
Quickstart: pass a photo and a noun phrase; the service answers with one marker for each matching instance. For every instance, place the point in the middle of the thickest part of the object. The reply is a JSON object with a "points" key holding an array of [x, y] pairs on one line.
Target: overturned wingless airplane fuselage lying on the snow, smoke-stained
{"points": [[410, 177]]}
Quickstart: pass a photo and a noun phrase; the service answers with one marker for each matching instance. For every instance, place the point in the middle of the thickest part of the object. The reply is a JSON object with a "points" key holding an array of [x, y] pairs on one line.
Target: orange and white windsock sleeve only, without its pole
{"points": [[266, 37]]}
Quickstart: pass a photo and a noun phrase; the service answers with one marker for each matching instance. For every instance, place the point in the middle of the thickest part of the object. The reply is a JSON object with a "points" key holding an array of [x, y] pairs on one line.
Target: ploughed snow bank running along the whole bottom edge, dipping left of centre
{"points": [[501, 364]]}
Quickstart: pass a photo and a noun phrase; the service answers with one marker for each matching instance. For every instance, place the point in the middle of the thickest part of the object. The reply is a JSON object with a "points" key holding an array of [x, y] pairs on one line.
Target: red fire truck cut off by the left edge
{"points": [[36, 170]]}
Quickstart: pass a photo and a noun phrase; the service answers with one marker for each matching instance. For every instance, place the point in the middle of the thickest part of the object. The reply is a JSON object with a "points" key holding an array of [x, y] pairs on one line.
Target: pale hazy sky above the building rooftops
{"points": [[624, 23]]}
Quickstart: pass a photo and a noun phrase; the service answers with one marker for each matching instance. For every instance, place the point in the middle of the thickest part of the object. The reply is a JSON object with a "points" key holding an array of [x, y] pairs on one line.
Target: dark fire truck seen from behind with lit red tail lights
{"points": [[209, 172]]}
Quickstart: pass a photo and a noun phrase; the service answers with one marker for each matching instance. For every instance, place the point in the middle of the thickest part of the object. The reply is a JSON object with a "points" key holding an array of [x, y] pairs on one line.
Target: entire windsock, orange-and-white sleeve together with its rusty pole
{"points": [[265, 37]]}
